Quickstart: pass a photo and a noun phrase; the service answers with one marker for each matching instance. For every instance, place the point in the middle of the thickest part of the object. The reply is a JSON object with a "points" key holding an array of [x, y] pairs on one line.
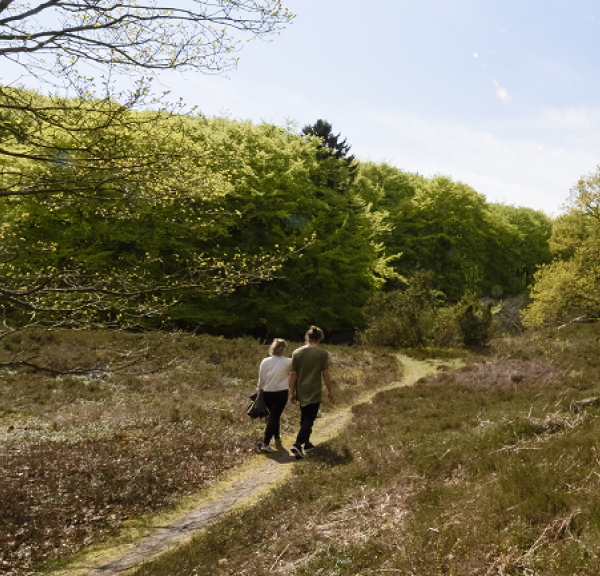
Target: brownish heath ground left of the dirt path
{"points": [[147, 420]]}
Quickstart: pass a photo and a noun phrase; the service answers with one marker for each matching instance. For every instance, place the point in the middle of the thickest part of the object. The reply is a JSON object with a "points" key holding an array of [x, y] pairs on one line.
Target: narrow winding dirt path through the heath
{"points": [[246, 485]]}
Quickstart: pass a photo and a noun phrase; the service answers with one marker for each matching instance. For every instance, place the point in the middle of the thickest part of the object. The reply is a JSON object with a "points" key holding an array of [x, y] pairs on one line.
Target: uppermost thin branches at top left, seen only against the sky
{"points": [[55, 37]]}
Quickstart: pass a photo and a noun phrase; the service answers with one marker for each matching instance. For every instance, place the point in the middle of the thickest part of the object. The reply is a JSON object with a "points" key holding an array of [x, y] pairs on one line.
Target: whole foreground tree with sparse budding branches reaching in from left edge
{"points": [[82, 154]]}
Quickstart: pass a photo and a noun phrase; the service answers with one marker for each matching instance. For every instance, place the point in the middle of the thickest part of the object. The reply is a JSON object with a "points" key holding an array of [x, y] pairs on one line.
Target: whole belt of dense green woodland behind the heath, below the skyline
{"points": [[235, 228]]}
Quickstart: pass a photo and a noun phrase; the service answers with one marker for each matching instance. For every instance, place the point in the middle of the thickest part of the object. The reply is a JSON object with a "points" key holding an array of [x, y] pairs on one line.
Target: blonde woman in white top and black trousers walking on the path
{"points": [[273, 379]]}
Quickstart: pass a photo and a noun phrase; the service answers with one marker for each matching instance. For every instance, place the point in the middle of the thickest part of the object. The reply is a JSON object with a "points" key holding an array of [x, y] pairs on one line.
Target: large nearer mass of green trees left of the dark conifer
{"points": [[191, 242]]}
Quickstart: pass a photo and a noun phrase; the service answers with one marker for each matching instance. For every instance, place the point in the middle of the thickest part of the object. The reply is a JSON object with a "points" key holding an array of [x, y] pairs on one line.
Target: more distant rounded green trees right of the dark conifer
{"points": [[448, 228]]}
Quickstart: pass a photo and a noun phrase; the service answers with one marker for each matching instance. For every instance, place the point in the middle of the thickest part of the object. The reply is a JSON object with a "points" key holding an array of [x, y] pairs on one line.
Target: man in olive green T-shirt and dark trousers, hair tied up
{"points": [[309, 364]]}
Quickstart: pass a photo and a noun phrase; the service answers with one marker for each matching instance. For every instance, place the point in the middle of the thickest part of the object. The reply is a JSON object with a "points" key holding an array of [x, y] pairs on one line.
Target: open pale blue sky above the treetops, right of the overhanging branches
{"points": [[499, 94]]}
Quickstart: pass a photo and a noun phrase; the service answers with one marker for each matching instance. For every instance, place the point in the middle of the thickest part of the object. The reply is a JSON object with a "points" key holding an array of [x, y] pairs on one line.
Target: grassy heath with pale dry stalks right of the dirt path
{"points": [[485, 470]]}
